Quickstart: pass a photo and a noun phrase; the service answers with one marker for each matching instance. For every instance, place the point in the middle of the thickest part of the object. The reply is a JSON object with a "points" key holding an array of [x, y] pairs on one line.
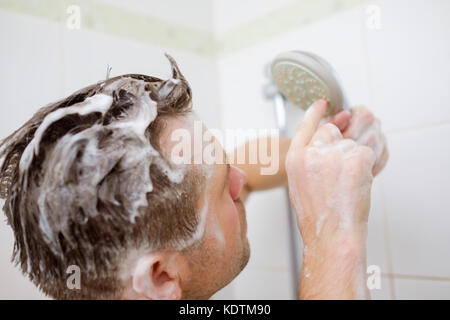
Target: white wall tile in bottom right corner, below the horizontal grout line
{"points": [[408, 289]]}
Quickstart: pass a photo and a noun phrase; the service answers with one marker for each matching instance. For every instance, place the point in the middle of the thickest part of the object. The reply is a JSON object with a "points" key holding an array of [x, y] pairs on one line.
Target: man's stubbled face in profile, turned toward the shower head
{"points": [[225, 250]]}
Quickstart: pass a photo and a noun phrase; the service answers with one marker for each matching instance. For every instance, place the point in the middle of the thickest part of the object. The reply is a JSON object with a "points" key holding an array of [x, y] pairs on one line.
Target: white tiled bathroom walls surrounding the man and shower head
{"points": [[397, 65]]}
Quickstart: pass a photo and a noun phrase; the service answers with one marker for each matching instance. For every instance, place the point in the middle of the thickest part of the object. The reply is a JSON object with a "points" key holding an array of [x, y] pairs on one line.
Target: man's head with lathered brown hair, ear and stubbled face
{"points": [[89, 182]]}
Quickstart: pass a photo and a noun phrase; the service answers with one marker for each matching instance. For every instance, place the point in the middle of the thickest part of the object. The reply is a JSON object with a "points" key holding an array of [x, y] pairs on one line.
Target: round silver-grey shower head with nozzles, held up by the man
{"points": [[304, 77]]}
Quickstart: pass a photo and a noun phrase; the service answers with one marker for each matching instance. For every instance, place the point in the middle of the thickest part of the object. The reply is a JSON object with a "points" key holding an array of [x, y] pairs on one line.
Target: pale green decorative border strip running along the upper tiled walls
{"points": [[129, 24]]}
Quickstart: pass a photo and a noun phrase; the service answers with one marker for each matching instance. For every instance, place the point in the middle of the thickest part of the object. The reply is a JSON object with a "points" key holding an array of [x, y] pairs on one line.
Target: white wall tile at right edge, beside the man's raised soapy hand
{"points": [[417, 203]]}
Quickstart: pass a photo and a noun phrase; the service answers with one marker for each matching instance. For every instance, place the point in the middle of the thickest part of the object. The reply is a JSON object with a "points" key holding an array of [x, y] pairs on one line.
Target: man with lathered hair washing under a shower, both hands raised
{"points": [[91, 184]]}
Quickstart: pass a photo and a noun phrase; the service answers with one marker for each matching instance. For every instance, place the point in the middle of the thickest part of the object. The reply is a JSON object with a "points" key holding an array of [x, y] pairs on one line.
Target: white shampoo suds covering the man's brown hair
{"points": [[128, 148]]}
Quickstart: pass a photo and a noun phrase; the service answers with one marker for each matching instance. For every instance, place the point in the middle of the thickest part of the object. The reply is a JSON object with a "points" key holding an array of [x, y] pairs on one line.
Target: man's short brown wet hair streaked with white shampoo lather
{"points": [[85, 181]]}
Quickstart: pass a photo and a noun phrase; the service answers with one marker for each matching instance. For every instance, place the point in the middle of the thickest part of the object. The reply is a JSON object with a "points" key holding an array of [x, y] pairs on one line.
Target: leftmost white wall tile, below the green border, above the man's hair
{"points": [[31, 68]]}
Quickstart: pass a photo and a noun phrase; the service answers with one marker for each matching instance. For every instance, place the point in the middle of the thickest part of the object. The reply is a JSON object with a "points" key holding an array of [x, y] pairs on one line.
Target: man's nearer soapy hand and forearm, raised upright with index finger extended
{"points": [[329, 181]]}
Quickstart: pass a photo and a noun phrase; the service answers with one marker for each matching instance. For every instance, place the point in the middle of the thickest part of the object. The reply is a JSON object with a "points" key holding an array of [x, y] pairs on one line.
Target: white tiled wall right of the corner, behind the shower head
{"points": [[397, 65]]}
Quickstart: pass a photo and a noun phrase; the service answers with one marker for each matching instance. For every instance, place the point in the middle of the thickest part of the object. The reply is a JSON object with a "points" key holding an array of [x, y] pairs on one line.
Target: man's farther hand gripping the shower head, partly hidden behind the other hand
{"points": [[360, 125]]}
